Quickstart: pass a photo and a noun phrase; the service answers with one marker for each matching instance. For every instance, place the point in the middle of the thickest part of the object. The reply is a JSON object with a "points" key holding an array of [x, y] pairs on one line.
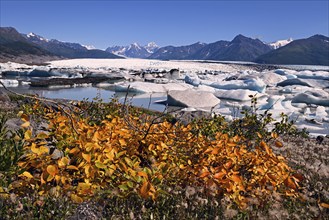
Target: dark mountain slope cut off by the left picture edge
{"points": [[14, 47]]}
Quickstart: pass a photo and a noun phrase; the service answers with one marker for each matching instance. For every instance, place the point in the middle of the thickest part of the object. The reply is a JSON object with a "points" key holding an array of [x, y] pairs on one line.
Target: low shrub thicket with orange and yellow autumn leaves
{"points": [[83, 152]]}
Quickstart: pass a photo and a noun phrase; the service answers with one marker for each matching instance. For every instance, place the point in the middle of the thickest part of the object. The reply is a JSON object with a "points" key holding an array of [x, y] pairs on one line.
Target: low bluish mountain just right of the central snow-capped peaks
{"points": [[177, 53]]}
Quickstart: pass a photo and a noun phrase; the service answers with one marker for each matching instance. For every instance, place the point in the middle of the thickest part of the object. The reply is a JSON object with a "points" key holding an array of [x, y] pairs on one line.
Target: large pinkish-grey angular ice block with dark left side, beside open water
{"points": [[191, 98]]}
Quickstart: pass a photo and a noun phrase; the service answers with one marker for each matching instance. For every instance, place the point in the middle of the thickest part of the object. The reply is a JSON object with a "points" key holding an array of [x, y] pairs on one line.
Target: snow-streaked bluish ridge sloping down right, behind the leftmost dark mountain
{"points": [[66, 49]]}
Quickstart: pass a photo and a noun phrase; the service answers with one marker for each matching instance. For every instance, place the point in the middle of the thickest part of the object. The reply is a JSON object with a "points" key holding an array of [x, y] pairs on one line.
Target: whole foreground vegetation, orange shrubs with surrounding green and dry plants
{"points": [[90, 160]]}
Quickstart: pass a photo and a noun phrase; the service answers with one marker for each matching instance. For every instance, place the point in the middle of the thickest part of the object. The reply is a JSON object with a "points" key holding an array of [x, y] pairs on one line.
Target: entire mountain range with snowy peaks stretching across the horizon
{"points": [[32, 47]]}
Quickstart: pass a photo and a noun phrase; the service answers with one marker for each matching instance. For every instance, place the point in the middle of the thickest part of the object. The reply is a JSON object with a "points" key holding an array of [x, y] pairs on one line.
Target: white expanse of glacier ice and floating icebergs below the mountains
{"points": [[301, 92]]}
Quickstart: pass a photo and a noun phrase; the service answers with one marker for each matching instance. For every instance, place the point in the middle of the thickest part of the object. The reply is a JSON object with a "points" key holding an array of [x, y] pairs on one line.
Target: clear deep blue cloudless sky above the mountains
{"points": [[107, 23]]}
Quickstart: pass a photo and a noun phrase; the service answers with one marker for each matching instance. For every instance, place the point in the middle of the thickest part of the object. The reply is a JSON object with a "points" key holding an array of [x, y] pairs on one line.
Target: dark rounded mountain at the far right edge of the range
{"points": [[311, 51]]}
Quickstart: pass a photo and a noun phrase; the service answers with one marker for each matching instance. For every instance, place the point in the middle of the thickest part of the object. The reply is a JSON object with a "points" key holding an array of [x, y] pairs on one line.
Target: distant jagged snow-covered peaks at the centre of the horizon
{"points": [[134, 50]]}
